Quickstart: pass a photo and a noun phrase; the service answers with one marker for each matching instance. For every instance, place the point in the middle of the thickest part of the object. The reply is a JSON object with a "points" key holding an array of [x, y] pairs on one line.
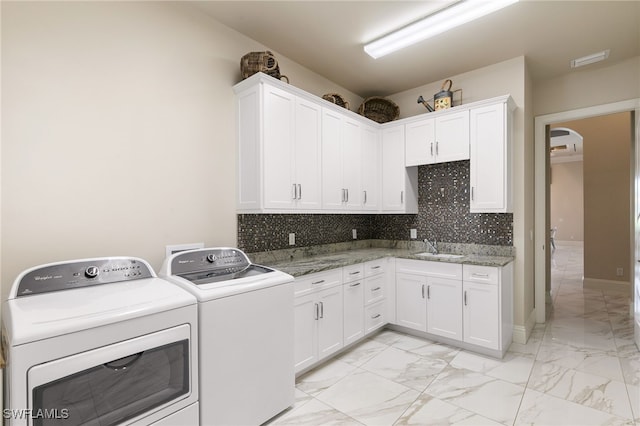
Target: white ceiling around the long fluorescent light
{"points": [[328, 37]]}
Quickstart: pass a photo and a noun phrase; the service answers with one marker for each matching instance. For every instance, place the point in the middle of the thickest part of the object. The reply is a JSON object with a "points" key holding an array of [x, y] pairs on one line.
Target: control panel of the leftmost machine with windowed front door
{"points": [[82, 273]]}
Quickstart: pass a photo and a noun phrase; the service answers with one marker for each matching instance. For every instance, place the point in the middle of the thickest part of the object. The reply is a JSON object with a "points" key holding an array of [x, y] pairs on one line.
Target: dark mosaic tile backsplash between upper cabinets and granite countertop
{"points": [[443, 215]]}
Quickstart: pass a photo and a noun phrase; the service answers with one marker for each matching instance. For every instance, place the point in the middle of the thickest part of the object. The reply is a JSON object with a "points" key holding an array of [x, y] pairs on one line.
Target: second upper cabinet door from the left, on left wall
{"points": [[308, 145]]}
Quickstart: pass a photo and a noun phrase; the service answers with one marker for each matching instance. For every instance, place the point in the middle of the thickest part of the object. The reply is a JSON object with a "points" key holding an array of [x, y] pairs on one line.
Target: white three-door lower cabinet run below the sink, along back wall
{"points": [[465, 303]]}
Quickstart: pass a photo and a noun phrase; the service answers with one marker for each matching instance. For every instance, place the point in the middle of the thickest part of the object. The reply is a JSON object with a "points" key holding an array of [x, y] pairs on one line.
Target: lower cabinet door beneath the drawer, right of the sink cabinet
{"points": [[481, 314]]}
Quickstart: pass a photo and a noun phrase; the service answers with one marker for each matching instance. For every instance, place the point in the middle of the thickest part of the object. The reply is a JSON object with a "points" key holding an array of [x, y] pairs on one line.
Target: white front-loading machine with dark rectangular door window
{"points": [[100, 342]]}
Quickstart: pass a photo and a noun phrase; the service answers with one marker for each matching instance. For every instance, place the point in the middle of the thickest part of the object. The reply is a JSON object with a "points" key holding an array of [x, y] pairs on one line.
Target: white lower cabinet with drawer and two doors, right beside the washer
{"points": [[318, 317]]}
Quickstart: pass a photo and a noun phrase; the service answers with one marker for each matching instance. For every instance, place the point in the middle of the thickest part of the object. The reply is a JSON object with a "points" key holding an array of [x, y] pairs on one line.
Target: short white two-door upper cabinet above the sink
{"points": [[438, 139]]}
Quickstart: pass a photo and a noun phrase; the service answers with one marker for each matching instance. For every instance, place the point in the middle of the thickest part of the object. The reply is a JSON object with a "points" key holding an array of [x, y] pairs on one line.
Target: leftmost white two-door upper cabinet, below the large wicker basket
{"points": [[279, 142]]}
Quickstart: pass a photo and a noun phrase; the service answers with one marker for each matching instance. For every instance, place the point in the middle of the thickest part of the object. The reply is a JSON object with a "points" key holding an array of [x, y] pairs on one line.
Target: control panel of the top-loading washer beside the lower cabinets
{"points": [[208, 259]]}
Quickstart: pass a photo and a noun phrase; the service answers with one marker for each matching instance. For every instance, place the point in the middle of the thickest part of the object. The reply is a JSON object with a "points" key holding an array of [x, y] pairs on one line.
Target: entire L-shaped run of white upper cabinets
{"points": [[299, 153]]}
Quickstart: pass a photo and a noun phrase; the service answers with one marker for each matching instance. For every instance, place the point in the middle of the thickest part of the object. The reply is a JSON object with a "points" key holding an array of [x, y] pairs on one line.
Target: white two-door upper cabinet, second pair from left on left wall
{"points": [[341, 162]]}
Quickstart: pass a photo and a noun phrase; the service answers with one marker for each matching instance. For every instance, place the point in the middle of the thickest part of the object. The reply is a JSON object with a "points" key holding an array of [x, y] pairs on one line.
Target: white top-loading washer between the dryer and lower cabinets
{"points": [[246, 334]]}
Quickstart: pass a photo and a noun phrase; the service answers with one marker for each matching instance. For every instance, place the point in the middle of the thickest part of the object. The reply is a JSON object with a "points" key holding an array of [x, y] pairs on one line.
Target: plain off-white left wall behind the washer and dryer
{"points": [[118, 133]]}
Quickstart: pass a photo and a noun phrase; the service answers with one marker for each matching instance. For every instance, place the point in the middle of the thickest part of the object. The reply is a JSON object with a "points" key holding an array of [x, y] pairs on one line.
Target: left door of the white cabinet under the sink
{"points": [[411, 309]]}
